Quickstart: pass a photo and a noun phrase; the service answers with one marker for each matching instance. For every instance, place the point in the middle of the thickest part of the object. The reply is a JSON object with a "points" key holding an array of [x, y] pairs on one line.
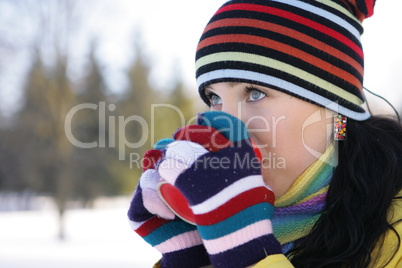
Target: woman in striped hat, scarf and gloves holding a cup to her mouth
{"points": [[314, 194]]}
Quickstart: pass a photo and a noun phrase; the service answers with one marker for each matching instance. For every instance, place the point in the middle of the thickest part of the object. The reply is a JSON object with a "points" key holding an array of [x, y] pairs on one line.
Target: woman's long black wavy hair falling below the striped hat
{"points": [[364, 185]]}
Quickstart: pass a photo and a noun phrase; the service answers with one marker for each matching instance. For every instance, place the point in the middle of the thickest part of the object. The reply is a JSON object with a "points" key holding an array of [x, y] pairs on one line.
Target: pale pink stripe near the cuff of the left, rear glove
{"points": [[185, 240]]}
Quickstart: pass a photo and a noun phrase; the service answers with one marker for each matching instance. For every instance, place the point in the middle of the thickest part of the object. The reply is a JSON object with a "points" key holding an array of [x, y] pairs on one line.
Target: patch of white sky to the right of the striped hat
{"points": [[382, 44]]}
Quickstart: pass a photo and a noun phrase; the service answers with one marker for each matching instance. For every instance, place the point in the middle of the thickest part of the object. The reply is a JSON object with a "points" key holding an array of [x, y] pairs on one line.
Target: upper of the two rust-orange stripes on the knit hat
{"points": [[327, 48]]}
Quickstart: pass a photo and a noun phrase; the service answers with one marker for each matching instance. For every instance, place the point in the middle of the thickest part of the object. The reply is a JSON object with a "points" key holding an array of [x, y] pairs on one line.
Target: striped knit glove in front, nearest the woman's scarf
{"points": [[232, 206]]}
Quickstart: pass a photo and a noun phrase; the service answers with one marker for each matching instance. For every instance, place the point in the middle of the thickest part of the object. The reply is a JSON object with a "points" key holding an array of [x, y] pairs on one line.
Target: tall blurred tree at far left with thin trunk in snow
{"points": [[48, 96]]}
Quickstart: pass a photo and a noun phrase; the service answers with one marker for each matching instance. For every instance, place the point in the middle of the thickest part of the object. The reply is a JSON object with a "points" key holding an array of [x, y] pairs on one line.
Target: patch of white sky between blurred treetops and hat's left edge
{"points": [[169, 29]]}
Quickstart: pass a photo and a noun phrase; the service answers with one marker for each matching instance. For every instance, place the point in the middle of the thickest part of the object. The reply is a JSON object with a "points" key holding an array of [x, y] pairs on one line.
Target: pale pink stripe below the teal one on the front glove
{"points": [[239, 237]]}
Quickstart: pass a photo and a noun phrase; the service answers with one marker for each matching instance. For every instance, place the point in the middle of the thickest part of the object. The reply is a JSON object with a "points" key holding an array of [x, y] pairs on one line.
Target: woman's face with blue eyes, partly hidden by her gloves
{"points": [[290, 133]]}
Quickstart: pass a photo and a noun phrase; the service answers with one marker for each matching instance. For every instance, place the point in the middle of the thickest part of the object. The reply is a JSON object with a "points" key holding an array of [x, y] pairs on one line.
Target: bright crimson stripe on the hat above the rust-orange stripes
{"points": [[296, 18]]}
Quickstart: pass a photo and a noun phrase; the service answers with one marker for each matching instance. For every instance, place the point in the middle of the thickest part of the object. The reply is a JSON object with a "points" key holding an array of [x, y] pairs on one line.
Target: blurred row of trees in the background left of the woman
{"points": [[36, 157]]}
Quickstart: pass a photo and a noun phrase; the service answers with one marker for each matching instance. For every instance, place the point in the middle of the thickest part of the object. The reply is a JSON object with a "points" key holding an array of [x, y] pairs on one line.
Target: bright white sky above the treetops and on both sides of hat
{"points": [[170, 31]]}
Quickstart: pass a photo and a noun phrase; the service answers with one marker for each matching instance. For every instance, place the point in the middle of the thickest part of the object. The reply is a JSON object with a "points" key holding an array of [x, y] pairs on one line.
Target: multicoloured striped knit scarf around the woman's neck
{"points": [[300, 207]]}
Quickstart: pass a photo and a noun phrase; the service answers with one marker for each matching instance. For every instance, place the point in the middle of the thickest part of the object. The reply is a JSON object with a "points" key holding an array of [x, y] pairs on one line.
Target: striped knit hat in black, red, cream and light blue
{"points": [[310, 49]]}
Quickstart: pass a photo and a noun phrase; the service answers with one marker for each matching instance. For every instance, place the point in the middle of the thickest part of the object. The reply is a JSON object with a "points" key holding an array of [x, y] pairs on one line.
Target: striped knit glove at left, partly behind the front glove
{"points": [[179, 242]]}
